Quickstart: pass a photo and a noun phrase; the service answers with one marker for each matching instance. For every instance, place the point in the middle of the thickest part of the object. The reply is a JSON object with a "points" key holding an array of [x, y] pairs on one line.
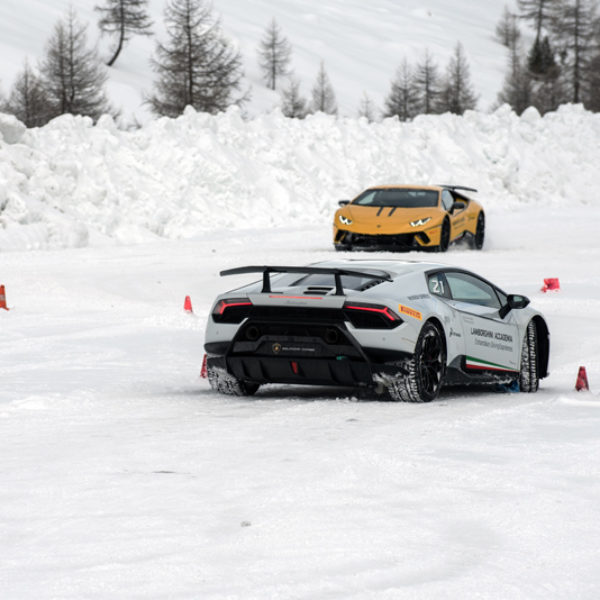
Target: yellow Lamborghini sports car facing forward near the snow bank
{"points": [[404, 217]]}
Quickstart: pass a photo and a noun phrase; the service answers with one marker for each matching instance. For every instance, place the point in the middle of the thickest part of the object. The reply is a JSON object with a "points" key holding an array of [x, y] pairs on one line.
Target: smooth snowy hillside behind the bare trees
{"points": [[361, 43]]}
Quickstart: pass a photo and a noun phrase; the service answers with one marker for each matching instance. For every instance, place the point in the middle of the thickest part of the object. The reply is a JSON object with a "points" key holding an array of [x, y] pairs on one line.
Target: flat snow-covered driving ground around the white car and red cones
{"points": [[124, 476]]}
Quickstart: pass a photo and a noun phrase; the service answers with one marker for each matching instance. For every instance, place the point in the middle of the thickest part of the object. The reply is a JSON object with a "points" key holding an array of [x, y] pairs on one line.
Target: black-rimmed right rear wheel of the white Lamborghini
{"points": [[426, 369]]}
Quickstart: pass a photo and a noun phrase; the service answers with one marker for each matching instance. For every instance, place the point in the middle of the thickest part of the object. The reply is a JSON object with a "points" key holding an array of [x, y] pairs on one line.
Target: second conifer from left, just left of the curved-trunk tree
{"points": [[72, 75]]}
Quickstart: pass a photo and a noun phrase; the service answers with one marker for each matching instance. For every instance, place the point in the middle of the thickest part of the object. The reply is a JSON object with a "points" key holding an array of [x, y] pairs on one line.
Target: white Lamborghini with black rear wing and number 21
{"points": [[401, 326]]}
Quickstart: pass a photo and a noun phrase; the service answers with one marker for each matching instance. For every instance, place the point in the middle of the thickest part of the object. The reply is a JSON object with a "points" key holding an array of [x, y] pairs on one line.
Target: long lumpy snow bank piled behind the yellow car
{"points": [[73, 184]]}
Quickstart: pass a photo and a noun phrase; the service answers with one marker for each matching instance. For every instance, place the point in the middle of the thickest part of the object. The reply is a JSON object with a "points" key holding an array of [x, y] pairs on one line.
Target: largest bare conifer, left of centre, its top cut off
{"points": [[197, 67]]}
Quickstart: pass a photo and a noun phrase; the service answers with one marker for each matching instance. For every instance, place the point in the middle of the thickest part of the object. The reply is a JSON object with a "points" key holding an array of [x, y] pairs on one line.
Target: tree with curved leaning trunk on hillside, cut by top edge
{"points": [[125, 18]]}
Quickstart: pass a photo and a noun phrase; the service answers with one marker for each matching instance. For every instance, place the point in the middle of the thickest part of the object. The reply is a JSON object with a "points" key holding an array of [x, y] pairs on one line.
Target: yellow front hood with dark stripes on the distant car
{"points": [[387, 219]]}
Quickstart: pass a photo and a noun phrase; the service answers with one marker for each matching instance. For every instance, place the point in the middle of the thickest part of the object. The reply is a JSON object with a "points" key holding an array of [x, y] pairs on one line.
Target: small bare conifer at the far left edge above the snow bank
{"points": [[28, 100]]}
